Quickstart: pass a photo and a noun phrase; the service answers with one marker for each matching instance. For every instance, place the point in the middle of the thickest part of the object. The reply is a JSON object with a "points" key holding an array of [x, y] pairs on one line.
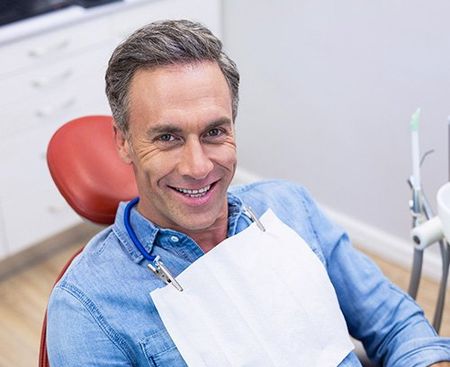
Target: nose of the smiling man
{"points": [[194, 162]]}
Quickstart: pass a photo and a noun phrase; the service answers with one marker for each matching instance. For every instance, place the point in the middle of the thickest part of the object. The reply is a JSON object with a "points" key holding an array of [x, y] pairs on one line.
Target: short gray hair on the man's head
{"points": [[164, 43]]}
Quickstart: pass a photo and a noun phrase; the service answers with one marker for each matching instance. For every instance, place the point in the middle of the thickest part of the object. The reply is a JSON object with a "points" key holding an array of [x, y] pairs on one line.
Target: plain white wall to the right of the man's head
{"points": [[328, 88]]}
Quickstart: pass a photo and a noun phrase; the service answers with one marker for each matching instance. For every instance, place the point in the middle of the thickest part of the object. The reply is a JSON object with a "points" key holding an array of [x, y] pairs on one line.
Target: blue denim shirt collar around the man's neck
{"points": [[147, 232]]}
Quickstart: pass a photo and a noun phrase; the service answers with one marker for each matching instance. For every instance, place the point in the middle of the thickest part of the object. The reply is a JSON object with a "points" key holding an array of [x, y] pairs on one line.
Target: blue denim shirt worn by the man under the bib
{"points": [[101, 314]]}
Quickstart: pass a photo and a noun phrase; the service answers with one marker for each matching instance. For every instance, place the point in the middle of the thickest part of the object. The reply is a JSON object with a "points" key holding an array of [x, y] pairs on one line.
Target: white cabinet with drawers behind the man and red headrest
{"points": [[49, 78]]}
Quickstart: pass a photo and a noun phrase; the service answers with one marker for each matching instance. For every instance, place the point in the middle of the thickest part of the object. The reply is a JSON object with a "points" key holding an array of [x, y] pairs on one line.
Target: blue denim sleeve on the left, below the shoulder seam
{"points": [[77, 336]]}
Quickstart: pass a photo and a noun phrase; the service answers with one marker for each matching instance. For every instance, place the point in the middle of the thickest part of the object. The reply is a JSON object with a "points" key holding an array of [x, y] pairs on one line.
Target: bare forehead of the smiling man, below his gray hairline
{"points": [[179, 92]]}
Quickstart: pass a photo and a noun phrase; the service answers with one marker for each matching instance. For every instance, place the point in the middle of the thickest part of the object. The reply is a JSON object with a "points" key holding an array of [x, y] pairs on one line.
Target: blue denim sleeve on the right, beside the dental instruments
{"points": [[388, 322]]}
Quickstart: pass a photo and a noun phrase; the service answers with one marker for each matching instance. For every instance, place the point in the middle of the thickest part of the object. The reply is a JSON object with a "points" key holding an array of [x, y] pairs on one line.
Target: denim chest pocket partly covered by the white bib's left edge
{"points": [[160, 350]]}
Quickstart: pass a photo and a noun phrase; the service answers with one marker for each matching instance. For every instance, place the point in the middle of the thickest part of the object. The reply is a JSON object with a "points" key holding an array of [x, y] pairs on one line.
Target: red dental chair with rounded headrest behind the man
{"points": [[89, 174]]}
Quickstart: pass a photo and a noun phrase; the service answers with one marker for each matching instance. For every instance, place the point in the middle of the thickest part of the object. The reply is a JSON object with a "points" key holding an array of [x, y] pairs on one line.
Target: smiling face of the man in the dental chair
{"points": [[181, 144]]}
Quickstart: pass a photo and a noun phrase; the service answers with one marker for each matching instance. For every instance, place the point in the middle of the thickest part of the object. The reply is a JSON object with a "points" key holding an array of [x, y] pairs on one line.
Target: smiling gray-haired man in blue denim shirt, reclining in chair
{"points": [[174, 96]]}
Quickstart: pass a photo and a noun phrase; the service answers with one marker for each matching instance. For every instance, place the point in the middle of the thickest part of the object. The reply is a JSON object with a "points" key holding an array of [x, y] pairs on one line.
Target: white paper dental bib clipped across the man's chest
{"points": [[258, 299]]}
